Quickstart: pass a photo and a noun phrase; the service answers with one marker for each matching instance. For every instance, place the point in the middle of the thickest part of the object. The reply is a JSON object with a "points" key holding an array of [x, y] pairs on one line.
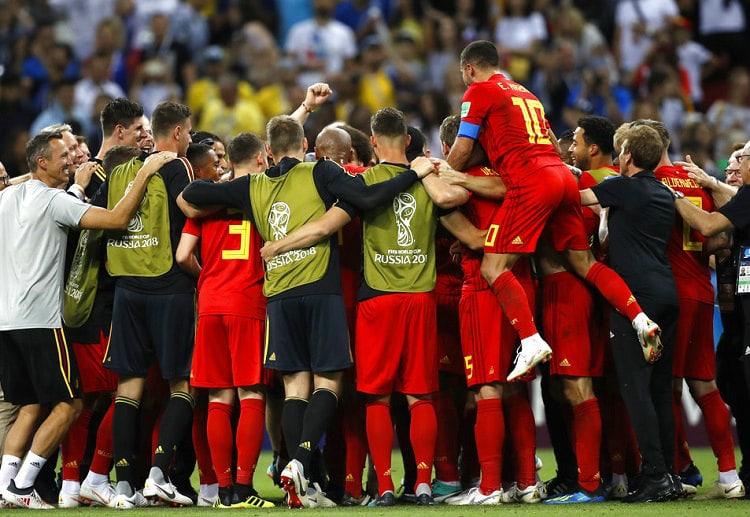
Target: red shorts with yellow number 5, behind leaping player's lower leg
{"points": [[488, 340]]}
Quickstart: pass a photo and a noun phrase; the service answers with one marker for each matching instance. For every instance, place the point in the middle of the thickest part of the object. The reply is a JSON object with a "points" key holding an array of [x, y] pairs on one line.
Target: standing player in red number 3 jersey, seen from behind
{"points": [[228, 354]]}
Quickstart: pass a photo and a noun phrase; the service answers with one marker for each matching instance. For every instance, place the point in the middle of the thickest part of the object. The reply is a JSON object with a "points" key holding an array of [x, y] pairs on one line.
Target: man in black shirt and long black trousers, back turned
{"points": [[640, 223]]}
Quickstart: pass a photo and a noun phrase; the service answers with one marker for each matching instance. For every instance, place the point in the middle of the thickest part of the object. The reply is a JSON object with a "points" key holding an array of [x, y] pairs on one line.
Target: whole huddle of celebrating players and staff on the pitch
{"points": [[368, 290]]}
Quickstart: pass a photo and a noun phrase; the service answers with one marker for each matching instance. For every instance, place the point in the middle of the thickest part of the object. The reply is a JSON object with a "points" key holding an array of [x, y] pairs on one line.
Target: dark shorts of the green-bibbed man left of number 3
{"points": [[148, 328]]}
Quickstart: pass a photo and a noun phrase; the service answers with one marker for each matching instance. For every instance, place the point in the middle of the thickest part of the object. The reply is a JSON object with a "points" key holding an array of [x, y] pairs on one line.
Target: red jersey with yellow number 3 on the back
{"points": [[231, 280]]}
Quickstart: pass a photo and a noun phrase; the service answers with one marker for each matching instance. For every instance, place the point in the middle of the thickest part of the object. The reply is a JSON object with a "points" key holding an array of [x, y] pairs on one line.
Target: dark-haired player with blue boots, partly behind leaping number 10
{"points": [[574, 326]]}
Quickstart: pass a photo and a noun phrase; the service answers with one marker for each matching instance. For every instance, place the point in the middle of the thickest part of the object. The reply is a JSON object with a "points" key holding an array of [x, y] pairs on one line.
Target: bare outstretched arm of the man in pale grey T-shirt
{"points": [[97, 218]]}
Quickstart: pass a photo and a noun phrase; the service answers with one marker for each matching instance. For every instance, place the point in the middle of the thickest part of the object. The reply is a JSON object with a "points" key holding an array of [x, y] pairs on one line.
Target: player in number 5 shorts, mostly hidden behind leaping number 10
{"points": [[488, 343]]}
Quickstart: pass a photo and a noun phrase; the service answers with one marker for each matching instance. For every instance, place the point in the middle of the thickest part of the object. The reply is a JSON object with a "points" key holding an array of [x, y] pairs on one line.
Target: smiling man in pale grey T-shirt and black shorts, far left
{"points": [[37, 368]]}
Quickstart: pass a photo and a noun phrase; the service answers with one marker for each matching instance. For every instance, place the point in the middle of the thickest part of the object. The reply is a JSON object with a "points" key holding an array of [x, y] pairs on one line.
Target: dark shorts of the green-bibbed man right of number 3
{"points": [[307, 333]]}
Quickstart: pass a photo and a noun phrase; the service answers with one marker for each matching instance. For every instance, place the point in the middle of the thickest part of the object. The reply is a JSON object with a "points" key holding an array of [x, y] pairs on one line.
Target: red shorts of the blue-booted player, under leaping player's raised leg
{"points": [[570, 328]]}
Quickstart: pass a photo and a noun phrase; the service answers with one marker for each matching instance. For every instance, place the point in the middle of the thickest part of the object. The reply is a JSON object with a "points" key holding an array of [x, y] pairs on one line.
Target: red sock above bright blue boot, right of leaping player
{"points": [[587, 423]]}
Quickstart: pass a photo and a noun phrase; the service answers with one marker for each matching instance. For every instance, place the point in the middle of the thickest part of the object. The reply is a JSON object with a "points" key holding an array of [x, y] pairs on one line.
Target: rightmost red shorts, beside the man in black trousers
{"points": [[694, 356]]}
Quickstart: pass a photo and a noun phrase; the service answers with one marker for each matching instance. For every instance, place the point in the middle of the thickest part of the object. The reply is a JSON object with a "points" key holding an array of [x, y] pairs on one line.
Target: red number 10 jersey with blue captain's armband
{"points": [[509, 121]]}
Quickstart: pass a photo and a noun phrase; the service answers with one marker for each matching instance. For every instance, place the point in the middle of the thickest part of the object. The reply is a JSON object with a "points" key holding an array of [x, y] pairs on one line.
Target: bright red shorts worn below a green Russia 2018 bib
{"points": [[396, 345]]}
